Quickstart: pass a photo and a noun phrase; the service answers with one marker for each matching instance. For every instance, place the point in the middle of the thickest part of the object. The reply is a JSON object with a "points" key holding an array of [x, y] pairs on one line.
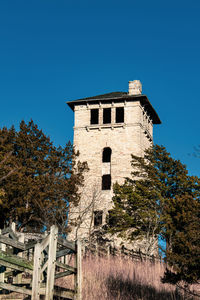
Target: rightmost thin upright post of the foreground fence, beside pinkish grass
{"points": [[78, 277]]}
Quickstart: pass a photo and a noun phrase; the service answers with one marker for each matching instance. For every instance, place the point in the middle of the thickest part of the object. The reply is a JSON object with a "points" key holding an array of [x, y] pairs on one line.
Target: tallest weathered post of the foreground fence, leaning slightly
{"points": [[51, 262]]}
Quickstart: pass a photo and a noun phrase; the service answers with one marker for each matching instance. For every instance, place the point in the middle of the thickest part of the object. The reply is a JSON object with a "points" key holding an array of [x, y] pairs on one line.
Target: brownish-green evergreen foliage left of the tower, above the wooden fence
{"points": [[38, 181]]}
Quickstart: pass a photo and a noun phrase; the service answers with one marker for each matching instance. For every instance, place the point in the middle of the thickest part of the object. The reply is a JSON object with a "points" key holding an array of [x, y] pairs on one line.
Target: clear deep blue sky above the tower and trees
{"points": [[55, 51]]}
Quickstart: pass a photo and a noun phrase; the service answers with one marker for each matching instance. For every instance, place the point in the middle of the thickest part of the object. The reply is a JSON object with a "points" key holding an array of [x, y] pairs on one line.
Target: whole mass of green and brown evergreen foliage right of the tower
{"points": [[161, 199]]}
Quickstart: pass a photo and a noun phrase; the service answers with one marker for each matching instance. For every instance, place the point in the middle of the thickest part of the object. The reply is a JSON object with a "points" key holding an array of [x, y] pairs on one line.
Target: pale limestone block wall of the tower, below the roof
{"points": [[131, 136]]}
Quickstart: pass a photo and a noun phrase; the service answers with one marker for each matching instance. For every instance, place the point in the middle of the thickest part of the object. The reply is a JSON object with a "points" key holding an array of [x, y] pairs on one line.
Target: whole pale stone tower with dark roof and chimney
{"points": [[108, 129]]}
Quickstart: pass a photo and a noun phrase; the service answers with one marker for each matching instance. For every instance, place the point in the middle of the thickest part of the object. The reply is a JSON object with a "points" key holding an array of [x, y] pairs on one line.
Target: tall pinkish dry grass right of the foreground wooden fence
{"points": [[124, 279]]}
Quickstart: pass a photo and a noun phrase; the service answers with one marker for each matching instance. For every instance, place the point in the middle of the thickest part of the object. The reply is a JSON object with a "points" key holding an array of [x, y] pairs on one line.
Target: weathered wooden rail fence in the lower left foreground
{"points": [[42, 262]]}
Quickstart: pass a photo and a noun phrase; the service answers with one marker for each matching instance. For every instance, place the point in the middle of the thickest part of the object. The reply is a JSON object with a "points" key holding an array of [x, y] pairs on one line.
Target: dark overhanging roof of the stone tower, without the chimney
{"points": [[117, 97]]}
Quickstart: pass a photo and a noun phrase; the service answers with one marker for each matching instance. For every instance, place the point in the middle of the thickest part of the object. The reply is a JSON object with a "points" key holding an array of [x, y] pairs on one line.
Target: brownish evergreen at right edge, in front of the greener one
{"points": [[182, 219]]}
